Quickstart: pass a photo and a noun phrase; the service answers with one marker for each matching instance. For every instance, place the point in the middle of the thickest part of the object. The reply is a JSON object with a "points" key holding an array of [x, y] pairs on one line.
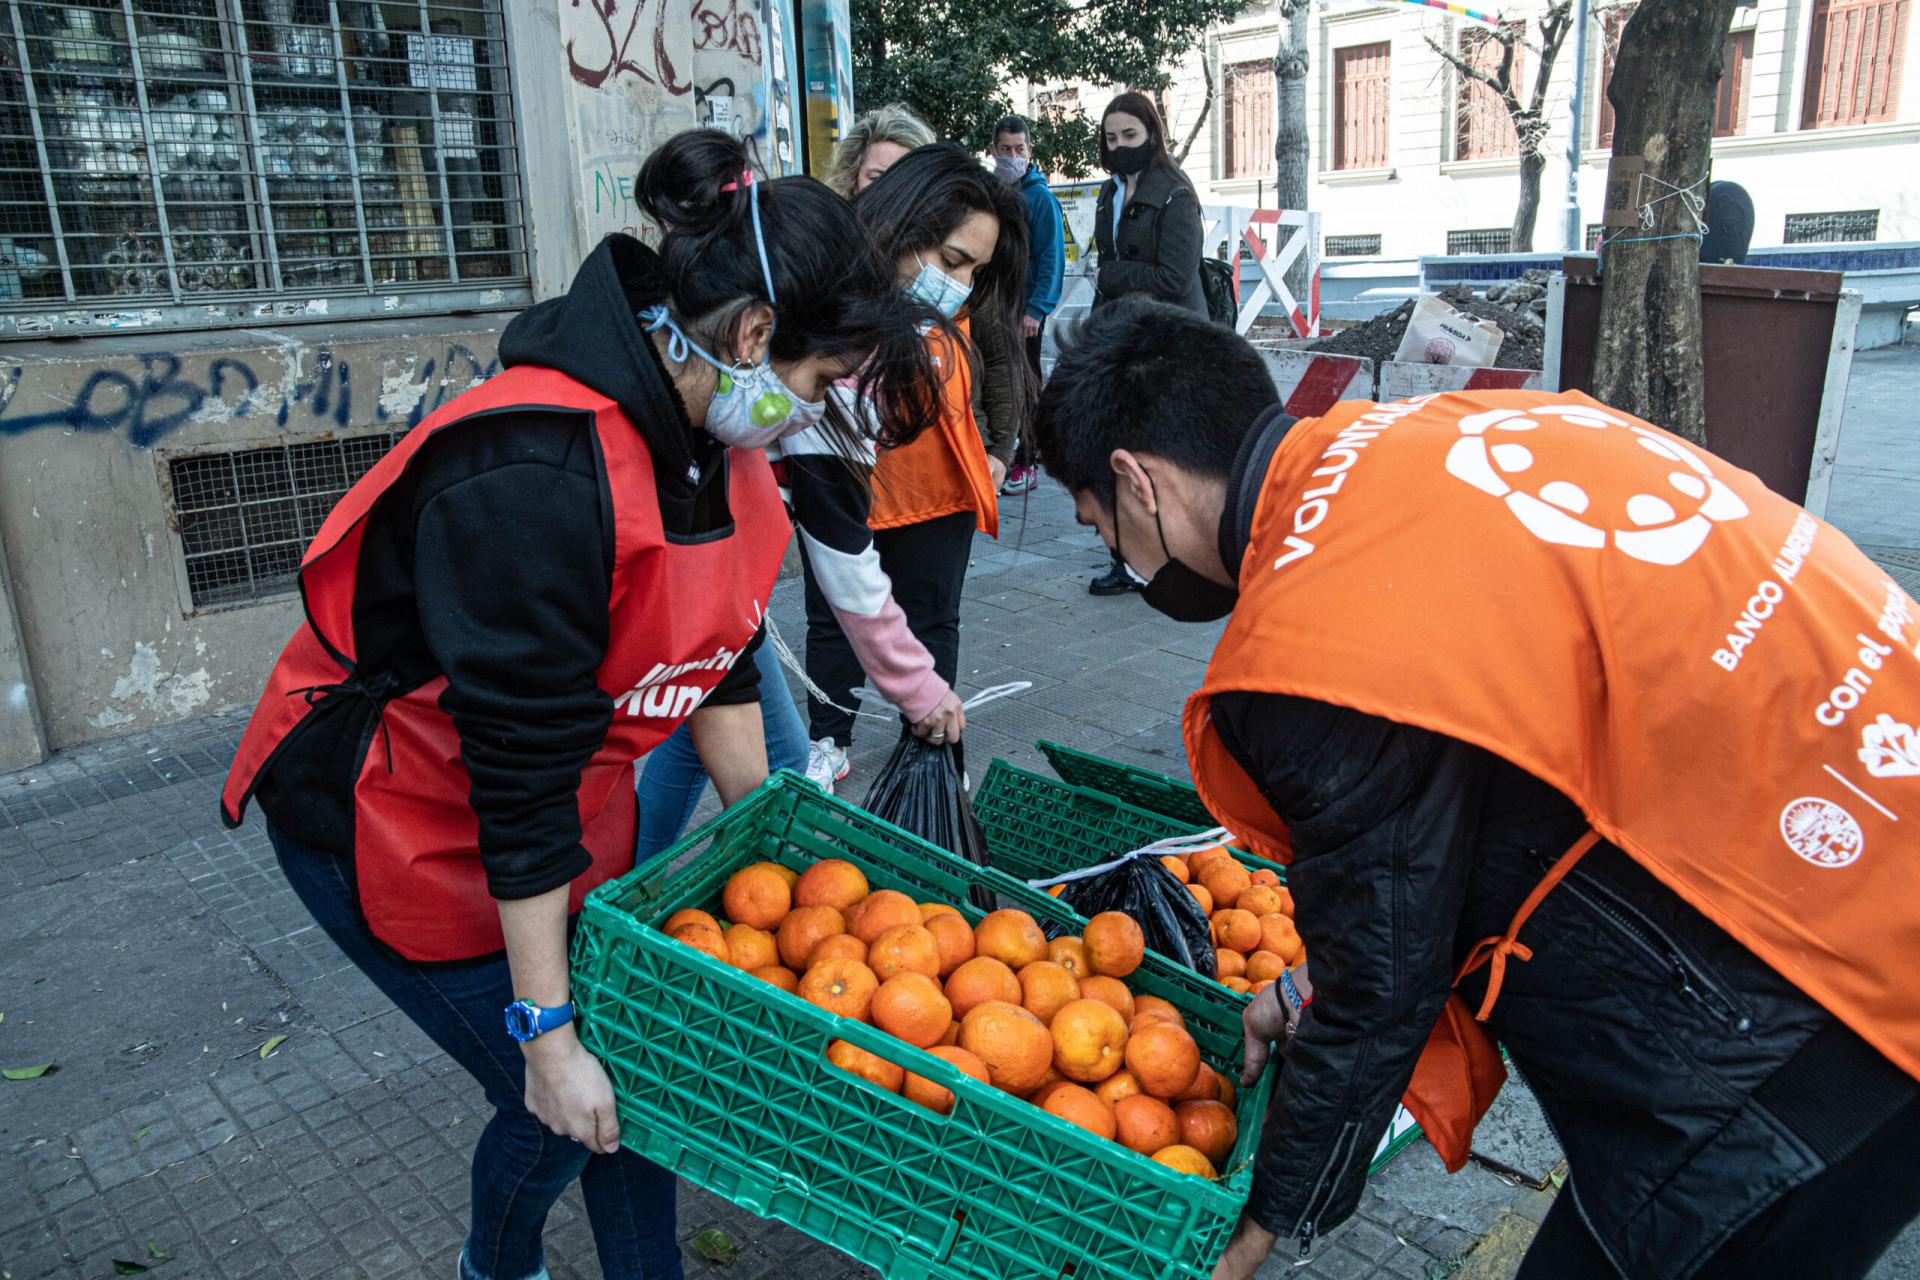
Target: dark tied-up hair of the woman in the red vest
{"points": [[836, 295]]}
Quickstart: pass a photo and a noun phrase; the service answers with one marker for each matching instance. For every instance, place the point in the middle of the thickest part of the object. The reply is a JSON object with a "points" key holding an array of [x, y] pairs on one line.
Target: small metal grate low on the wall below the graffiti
{"points": [[249, 515]]}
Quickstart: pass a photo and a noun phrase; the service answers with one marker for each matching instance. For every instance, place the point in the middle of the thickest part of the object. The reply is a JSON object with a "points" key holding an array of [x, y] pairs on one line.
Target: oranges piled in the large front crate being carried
{"points": [[1047, 1022]]}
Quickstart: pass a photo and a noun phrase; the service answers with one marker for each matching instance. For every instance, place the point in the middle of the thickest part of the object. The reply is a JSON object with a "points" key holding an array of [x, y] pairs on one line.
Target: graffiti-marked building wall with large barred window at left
{"points": [[245, 245]]}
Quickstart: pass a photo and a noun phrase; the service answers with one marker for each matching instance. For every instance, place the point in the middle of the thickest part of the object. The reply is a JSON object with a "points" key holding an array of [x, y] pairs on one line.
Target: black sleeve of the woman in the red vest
{"points": [[514, 588]]}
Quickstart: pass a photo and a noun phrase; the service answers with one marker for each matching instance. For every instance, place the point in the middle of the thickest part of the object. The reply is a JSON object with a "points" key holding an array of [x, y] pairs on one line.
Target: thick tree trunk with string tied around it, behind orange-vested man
{"points": [[1650, 352]]}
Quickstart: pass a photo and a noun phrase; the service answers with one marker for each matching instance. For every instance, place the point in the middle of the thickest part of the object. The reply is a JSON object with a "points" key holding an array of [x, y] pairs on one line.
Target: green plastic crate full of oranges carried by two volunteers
{"points": [[725, 1081]]}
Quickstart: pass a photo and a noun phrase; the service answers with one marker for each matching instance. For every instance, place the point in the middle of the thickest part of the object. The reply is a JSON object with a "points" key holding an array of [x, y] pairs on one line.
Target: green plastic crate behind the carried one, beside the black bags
{"points": [[1038, 828]]}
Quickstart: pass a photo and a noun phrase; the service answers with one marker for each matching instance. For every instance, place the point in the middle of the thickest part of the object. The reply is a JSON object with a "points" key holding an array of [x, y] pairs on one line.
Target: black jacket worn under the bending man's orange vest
{"points": [[1689, 1083]]}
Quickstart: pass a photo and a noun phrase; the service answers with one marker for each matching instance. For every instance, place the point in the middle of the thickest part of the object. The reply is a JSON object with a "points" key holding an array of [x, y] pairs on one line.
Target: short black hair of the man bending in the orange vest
{"points": [[1149, 377]]}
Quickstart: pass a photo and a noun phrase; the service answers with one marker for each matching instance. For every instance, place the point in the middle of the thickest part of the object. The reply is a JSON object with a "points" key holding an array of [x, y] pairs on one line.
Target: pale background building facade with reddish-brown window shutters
{"points": [[1819, 120]]}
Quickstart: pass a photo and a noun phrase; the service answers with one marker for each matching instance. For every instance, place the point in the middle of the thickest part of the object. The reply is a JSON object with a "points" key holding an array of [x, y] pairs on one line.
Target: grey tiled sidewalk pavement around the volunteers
{"points": [[233, 1095]]}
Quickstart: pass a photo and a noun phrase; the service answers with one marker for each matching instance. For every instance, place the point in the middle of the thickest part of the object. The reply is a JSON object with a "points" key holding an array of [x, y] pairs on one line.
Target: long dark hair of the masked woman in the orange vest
{"points": [[923, 199]]}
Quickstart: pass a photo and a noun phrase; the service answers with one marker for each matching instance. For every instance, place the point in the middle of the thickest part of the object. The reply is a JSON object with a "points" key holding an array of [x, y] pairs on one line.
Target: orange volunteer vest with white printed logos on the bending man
{"points": [[1723, 684]]}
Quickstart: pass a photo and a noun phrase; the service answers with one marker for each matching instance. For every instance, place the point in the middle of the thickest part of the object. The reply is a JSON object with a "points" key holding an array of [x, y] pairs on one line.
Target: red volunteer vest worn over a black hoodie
{"points": [[681, 617]]}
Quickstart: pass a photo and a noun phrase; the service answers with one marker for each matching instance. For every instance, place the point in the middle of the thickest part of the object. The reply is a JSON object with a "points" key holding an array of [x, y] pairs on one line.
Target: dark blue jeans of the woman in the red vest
{"points": [[521, 1166]]}
